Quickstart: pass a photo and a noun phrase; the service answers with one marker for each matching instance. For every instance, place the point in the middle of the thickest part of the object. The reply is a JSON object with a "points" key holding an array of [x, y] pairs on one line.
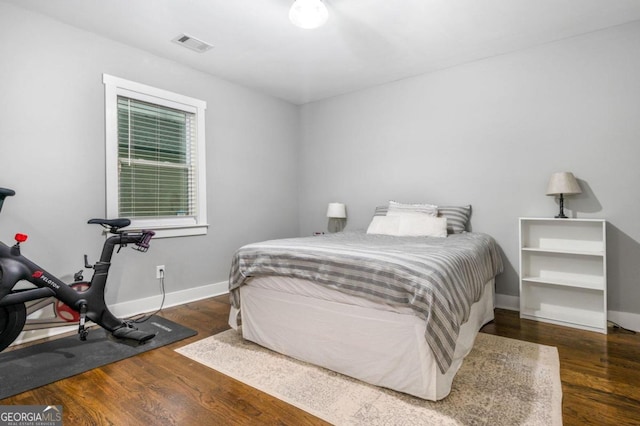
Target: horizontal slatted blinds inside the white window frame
{"points": [[156, 160]]}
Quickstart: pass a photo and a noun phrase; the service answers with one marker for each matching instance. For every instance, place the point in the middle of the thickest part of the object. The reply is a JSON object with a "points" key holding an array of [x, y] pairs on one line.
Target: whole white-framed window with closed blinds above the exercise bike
{"points": [[155, 158]]}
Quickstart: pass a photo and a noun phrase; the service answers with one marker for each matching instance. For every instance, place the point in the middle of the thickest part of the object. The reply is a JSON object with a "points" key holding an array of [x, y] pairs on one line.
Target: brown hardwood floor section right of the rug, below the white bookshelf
{"points": [[600, 373]]}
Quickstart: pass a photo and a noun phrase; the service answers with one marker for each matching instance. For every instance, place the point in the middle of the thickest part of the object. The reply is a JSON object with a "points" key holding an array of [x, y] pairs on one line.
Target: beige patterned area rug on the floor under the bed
{"points": [[502, 382]]}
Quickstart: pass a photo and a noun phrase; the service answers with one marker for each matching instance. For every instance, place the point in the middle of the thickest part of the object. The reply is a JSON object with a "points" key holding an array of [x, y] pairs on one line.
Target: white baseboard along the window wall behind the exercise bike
{"points": [[136, 307]]}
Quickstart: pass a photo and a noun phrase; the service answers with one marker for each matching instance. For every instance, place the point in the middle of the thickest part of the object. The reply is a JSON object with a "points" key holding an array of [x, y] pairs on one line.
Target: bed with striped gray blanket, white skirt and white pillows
{"points": [[393, 310]]}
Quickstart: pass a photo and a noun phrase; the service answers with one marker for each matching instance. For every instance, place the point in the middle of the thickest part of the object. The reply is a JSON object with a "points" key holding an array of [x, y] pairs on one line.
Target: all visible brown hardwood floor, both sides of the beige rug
{"points": [[600, 379]]}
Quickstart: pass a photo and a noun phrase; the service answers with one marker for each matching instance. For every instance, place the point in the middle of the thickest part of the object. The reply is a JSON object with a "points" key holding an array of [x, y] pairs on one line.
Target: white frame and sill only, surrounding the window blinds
{"points": [[164, 227]]}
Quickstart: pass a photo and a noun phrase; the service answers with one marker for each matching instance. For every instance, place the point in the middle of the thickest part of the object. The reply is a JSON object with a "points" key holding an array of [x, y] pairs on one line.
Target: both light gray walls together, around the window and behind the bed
{"points": [[489, 133]]}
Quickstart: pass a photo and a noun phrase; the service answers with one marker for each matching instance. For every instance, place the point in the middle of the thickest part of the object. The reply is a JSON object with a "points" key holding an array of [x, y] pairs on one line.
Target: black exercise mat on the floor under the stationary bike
{"points": [[38, 365]]}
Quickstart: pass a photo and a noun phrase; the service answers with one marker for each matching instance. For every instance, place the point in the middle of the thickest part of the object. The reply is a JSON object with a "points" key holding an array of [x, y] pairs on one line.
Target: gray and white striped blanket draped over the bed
{"points": [[439, 278]]}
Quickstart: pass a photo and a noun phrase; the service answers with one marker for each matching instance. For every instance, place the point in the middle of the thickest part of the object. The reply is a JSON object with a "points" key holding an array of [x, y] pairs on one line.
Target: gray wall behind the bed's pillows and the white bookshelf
{"points": [[490, 133]]}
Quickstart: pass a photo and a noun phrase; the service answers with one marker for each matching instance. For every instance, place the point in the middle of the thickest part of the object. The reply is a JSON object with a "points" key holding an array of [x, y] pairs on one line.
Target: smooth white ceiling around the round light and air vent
{"points": [[365, 42]]}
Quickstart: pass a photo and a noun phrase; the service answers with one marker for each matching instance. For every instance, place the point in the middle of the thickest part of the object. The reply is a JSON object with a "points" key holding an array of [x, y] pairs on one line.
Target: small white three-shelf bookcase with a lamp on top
{"points": [[563, 272]]}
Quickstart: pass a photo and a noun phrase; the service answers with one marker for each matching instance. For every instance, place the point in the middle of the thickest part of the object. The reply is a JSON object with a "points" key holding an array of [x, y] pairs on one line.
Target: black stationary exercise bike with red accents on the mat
{"points": [[73, 303]]}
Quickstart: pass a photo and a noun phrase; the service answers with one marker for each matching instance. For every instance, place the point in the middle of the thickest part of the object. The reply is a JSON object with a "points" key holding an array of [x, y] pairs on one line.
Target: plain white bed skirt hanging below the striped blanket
{"points": [[376, 343]]}
